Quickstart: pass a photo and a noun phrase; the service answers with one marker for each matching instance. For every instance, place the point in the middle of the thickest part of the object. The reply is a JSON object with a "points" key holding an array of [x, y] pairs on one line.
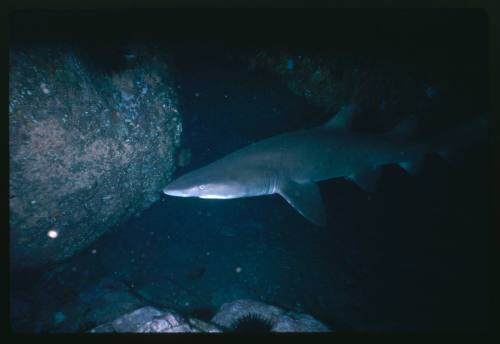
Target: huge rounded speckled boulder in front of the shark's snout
{"points": [[89, 146]]}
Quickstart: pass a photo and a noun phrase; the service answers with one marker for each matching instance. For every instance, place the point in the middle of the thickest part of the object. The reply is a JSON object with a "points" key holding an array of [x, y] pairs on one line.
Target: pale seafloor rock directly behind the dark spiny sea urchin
{"points": [[278, 319]]}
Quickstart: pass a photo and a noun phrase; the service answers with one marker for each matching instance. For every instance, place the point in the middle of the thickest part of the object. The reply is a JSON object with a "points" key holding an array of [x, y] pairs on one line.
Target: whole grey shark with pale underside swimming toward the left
{"points": [[290, 164]]}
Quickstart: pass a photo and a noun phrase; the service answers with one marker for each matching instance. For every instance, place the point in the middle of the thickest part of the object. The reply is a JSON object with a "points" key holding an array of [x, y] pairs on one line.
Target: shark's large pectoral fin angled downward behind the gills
{"points": [[306, 199]]}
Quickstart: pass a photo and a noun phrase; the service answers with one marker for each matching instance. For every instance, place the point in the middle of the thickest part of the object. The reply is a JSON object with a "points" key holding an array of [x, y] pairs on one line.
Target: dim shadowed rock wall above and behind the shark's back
{"points": [[385, 89]]}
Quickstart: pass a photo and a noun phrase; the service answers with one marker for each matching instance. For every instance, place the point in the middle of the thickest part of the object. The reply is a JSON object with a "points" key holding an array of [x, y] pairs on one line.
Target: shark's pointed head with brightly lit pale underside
{"points": [[212, 182]]}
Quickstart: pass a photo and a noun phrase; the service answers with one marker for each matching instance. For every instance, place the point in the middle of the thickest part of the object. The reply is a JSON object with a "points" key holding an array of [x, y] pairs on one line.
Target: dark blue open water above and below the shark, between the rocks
{"points": [[412, 256]]}
